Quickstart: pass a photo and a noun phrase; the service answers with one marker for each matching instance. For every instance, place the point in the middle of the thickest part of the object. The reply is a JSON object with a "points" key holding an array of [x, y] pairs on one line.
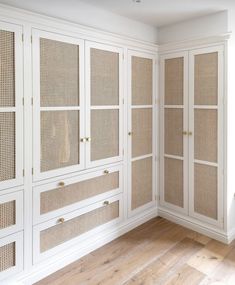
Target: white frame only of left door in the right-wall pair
{"points": [[168, 205]]}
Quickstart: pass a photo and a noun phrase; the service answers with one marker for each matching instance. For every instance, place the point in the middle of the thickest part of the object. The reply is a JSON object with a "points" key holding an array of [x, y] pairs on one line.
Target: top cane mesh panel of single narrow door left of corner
{"points": [[142, 81]]}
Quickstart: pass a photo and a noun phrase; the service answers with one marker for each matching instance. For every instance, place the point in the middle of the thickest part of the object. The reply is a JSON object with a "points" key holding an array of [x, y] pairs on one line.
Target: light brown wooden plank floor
{"points": [[158, 252]]}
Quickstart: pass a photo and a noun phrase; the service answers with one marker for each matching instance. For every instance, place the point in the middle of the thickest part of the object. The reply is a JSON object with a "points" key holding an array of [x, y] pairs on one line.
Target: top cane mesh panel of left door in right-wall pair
{"points": [[174, 81]]}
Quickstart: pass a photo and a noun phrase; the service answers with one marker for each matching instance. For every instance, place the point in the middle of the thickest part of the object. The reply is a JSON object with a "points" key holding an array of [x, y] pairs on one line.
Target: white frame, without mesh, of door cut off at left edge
{"points": [[18, 108]]}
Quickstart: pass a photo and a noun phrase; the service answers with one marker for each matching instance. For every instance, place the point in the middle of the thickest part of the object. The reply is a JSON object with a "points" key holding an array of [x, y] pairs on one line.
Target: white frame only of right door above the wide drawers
{"points": [[88, 46]]}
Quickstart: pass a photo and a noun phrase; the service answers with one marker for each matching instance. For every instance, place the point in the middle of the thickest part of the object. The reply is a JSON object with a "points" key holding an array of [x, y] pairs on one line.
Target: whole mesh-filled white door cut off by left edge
{"points": [[11, 106]]}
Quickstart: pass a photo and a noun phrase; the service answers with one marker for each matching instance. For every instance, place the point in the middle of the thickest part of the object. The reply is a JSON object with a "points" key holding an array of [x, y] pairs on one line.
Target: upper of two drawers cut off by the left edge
{"points": [[11, 213]]}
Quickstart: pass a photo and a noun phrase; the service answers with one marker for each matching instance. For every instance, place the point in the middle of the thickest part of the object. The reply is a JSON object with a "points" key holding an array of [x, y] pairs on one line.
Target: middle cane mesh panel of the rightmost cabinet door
{"points": [[205, 140]]}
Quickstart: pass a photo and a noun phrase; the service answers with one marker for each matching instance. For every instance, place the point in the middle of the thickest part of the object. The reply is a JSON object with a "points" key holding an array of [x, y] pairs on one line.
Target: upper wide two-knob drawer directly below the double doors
{"points": [[60, 197]]}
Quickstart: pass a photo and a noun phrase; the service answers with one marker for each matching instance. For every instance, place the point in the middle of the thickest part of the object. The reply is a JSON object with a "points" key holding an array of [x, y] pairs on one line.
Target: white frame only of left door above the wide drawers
{"points": [[36, 35]]}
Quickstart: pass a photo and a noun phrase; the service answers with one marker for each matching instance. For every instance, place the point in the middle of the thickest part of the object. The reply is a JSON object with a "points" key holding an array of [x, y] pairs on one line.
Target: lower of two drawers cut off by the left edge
{"points": [[11, 255]]}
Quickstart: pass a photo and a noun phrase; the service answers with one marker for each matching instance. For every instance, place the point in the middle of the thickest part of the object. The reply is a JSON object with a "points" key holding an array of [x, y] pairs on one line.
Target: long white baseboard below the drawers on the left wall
{"points": [[54, 264]]}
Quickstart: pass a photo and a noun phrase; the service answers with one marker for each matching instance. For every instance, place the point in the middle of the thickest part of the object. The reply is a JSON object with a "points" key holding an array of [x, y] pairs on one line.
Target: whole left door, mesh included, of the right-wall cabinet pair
{"points": [[174, 130]]}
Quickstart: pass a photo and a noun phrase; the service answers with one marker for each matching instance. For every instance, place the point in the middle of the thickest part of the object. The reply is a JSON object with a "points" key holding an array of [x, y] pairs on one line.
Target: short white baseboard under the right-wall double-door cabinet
{"points": [[192, 224]]}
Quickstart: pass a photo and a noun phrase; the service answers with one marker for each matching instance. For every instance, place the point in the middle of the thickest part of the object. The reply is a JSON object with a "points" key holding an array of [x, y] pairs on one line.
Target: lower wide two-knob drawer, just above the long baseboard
{"points": [[58, 234]]}
